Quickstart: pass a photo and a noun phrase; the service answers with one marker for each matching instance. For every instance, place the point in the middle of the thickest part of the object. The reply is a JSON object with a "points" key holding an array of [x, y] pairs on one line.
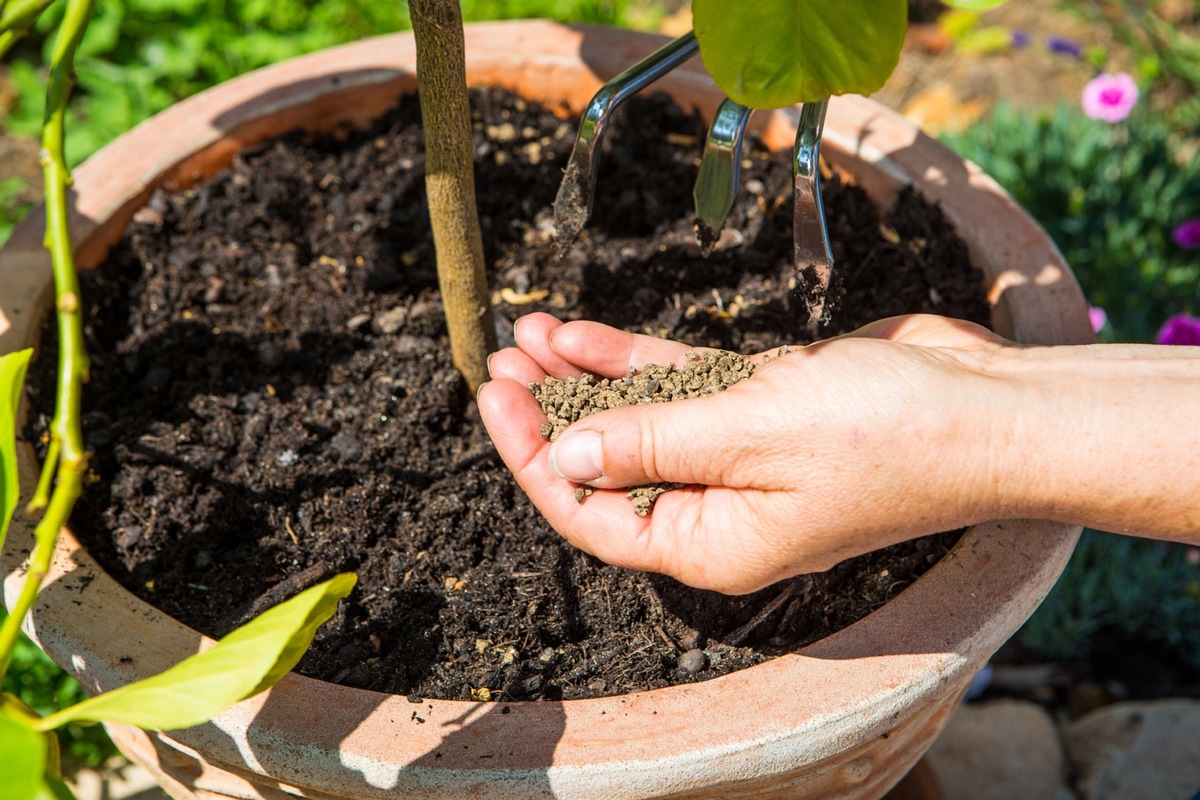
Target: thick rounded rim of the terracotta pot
{"points": [[907, 657]]}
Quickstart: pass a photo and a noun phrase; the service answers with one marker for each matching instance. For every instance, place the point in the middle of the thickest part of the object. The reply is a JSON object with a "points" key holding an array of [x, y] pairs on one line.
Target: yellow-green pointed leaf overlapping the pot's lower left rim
{"points": [[241, 665]]}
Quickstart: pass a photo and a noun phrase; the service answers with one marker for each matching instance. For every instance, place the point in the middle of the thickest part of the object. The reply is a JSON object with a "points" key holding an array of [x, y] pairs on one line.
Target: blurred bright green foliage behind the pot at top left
{"points": [[140, 57]]}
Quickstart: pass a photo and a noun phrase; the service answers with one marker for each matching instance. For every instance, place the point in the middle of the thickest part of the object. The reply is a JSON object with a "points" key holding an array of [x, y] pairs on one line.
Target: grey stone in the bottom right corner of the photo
{"points": [[1147, 749]]}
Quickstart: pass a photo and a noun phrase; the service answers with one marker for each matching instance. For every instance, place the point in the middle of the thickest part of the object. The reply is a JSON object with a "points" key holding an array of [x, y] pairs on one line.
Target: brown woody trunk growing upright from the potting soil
{"points": [[451, 184]]}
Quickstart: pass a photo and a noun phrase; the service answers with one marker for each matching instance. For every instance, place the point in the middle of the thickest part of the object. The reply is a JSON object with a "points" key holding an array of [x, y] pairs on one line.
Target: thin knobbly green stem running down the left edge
{"points": [[69, 461]]}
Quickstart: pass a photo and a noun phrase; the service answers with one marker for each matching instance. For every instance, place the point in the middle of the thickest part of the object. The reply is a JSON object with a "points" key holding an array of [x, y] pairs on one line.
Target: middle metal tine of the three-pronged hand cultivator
{"points": [[717, 184]]}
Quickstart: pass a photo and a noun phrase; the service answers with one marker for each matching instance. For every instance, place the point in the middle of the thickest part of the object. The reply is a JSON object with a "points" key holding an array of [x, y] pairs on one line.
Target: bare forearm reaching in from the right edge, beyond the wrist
{"points": [[1101, 436]]}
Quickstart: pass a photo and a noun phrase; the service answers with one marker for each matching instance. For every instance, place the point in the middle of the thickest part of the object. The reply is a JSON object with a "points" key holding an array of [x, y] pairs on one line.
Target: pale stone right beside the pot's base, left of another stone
{"points": [[999, 751]]}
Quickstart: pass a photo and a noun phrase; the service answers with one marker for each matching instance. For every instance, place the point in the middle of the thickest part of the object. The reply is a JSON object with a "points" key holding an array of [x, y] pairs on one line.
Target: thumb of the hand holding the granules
{"points": [[650, 444]]}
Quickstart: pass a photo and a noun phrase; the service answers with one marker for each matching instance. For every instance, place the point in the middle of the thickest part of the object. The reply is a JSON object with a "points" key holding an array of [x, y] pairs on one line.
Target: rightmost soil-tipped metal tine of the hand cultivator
{"points": [[814, 260]]}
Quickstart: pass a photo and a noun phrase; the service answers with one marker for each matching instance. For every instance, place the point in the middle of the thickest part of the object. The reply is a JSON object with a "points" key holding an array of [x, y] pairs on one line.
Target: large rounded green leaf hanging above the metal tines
{"points": [[773, 53]]}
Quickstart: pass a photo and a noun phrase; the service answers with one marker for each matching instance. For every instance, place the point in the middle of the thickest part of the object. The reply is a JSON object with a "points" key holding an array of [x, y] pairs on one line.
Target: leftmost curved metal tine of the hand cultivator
{"points": [[573, 207]]}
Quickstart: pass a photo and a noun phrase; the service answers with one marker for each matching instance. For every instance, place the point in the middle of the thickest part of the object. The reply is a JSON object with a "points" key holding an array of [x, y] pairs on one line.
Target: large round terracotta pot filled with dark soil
{"points": [[847, 717]]}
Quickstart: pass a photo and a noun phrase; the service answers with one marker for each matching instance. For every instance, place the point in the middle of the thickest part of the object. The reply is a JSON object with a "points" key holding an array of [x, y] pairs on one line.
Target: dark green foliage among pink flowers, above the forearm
{"points": [[1109, 197]]}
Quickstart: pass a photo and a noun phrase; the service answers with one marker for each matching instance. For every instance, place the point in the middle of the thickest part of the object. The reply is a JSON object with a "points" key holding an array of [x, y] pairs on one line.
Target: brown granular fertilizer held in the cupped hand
{"points": [[569, 401]]}
